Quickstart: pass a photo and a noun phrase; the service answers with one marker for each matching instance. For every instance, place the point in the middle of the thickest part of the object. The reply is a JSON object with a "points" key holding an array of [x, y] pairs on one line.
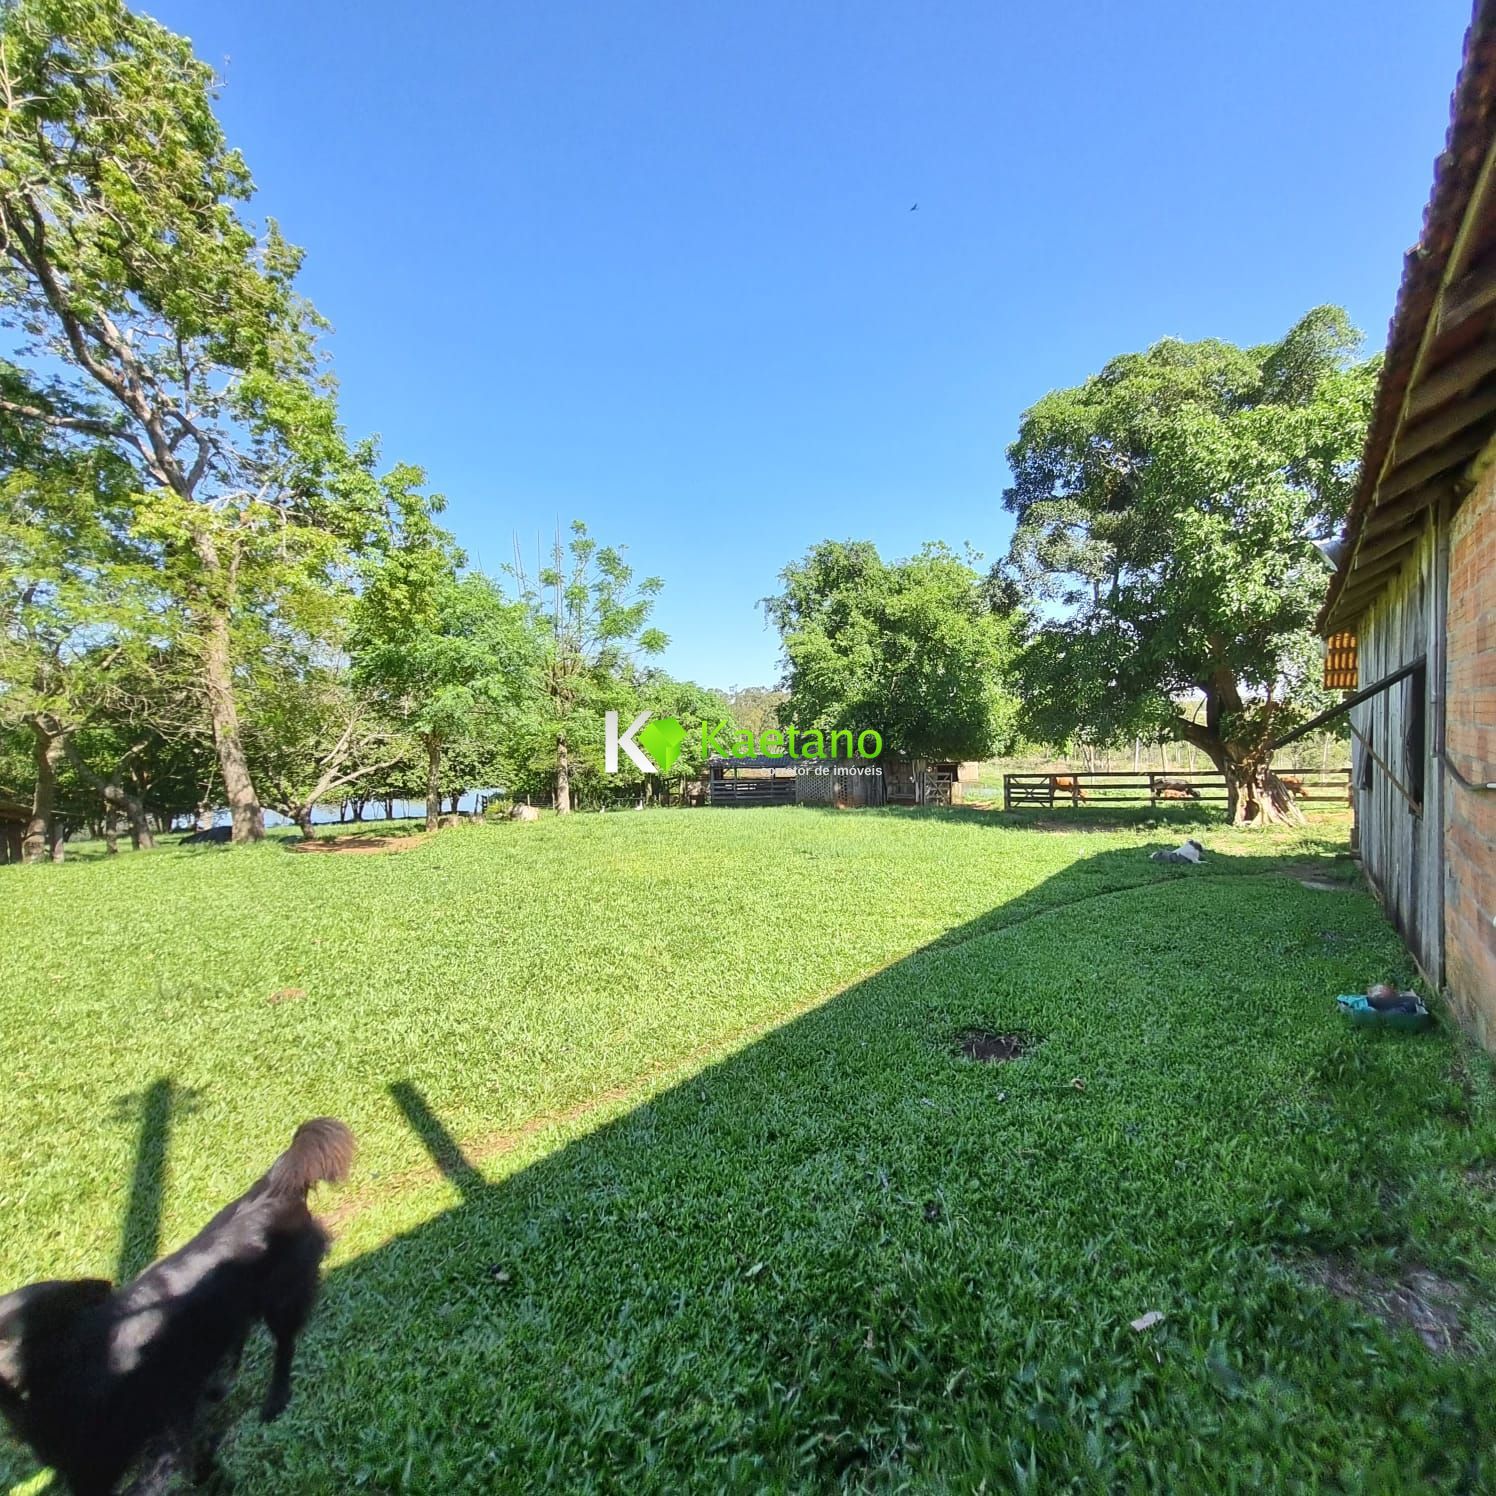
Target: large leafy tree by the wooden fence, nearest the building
{"points": [[1166, 514]]}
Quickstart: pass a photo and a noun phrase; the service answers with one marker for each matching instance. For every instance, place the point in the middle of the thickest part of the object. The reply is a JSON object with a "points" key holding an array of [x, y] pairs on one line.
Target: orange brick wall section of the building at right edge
{"points": [[1470, 818]]}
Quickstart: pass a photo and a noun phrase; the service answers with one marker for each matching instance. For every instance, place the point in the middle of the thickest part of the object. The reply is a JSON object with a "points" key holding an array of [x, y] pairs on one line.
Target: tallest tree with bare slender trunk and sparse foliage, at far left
{"points": [[147, 313]]}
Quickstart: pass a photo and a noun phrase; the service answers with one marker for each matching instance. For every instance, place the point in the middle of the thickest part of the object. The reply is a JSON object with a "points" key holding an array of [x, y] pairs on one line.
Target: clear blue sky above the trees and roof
{"points": [[654, 266]]}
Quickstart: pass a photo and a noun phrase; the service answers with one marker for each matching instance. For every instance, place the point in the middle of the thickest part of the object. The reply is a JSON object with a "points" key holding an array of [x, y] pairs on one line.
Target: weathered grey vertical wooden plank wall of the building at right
{"points": [[1402, 850]]}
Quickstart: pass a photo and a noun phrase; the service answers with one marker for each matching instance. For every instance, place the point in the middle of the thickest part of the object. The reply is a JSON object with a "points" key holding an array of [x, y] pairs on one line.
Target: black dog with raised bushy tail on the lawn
{"points": [[91, 1376]]}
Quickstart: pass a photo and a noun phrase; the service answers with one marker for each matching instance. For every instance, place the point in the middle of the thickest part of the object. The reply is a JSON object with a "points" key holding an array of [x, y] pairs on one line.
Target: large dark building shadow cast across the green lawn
{"points": [[846, 1256]]}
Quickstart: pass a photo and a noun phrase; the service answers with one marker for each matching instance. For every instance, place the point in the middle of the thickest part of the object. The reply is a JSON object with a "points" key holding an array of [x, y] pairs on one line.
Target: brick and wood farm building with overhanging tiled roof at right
{"points": [[1411, 611]]}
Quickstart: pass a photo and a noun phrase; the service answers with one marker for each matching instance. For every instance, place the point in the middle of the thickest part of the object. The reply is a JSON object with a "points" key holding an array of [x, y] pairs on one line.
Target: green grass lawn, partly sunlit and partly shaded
{"points": [[671, 1175]]}
